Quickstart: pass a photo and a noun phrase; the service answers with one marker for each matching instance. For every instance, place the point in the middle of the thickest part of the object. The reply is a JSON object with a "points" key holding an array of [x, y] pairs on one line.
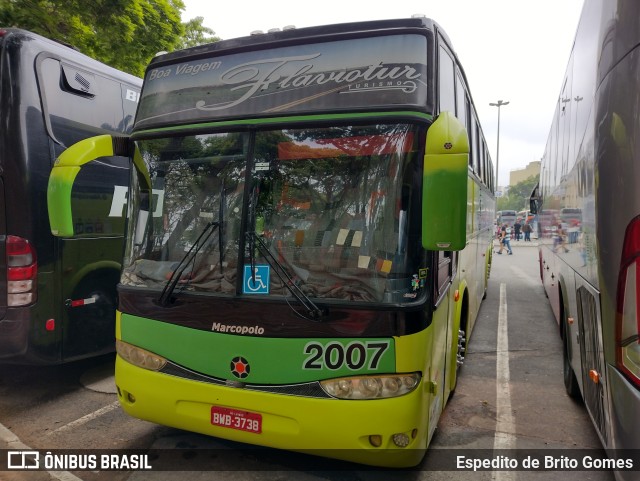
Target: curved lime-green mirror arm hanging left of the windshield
{"points": [[65, 171]]}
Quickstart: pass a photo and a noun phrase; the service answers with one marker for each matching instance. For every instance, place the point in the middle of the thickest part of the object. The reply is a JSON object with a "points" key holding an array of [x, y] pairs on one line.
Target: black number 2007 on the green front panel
{"points": [[335, 355]]}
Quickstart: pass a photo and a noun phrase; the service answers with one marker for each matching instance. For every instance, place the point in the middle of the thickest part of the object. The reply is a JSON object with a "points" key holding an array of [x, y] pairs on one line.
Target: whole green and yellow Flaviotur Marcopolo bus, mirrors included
{"points": [[309, 238]]}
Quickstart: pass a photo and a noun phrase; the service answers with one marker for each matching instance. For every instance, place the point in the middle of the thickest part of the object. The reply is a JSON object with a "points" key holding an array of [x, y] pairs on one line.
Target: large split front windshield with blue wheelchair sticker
{"points": [[336, 207]]}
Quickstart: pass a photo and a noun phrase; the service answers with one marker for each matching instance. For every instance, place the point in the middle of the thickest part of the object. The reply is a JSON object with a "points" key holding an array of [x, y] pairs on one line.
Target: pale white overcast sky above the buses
{"points": [[511, 50]]}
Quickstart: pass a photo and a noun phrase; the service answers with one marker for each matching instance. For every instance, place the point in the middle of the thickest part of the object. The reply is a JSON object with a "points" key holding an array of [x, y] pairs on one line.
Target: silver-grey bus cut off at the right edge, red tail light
{"points": [[588, 182]]}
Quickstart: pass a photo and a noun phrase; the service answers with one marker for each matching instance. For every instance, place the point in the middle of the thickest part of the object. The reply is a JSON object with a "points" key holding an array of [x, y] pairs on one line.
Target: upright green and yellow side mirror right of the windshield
{"points": [[444, 195]]}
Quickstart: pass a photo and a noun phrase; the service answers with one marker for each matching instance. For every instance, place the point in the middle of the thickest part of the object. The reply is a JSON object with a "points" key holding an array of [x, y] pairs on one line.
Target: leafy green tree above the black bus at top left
{"points": [[125, 34]]}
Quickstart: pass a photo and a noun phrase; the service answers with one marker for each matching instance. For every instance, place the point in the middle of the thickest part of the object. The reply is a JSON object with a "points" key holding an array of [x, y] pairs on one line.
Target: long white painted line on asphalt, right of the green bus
{"points": [[505, 422]]}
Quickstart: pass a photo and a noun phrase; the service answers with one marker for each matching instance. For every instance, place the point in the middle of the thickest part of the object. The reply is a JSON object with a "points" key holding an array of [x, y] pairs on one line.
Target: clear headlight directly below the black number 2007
{"points": [[371, 387]]}
